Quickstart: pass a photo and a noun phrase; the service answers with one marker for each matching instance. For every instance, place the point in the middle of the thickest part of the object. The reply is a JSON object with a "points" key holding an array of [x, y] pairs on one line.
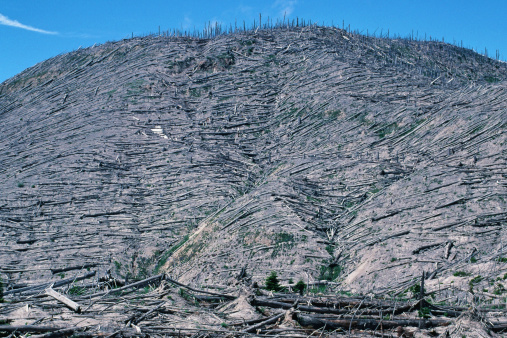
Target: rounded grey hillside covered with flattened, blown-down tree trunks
{"points": [[312, 152]]}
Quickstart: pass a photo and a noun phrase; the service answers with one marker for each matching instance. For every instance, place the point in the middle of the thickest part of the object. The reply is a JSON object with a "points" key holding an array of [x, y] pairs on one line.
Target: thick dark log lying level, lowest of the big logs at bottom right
{"points": [[316, 322]]}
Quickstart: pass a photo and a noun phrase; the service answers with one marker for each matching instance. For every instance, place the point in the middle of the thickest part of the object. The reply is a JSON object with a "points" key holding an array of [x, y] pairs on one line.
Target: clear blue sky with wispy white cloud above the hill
{"points": [[34, 30]]}
